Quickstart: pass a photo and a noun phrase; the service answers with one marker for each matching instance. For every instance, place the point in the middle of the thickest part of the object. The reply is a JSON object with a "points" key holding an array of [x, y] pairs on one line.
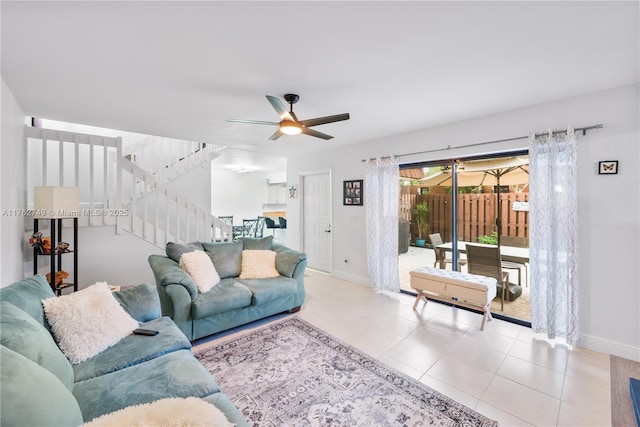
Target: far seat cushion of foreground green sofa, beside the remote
{"points": [[134, 349]]}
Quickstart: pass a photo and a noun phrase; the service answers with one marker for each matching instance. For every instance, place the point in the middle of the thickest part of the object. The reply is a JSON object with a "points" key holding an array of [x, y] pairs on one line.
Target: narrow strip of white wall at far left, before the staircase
{"points": [[12, 154]]}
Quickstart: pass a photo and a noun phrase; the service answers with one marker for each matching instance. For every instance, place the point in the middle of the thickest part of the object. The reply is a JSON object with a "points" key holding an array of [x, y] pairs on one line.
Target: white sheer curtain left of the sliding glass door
{"points": [[381, 193]]}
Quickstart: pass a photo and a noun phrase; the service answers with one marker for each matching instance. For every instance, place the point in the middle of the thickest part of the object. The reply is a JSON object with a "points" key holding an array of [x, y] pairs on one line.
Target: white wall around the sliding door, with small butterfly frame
{"points": [[609, 223]]}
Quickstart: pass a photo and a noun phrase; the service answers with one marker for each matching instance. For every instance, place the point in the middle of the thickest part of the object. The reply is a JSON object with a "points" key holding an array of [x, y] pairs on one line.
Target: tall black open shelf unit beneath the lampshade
{"points": [[55, 227]]}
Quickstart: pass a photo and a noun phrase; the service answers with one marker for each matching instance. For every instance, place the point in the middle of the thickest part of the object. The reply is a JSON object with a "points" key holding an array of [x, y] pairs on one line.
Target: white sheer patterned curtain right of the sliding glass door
{"points": [[553, 235]]}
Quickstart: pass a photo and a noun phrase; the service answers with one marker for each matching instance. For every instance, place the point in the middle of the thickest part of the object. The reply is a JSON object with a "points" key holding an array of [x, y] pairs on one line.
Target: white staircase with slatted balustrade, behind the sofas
{"points": [[115, 187]]}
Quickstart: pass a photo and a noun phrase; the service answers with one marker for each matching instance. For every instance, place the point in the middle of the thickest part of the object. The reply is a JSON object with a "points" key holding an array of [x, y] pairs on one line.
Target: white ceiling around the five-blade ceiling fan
{"points": [[180, 69]]}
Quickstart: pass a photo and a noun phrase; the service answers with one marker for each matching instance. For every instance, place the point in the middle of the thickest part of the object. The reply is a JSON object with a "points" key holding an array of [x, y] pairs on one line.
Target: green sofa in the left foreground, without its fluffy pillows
{"points": [[40, 387]]}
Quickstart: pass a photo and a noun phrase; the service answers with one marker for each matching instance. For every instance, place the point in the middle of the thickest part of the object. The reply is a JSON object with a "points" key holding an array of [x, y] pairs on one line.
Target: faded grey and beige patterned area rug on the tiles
{"points": [[290, 373]]}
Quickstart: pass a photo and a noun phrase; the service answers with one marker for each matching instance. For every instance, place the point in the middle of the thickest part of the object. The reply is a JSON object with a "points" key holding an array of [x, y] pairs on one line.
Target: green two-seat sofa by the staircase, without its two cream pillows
{"points": [[233, 301]]}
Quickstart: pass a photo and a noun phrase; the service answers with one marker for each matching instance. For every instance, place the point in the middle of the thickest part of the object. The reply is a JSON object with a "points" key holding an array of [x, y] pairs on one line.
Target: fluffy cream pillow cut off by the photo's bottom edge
{"points": [[170, 412]]}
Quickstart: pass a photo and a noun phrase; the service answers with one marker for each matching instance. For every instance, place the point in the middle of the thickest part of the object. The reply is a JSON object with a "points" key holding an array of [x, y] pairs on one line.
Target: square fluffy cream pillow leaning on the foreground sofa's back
{"points": [[87, 322]]}
